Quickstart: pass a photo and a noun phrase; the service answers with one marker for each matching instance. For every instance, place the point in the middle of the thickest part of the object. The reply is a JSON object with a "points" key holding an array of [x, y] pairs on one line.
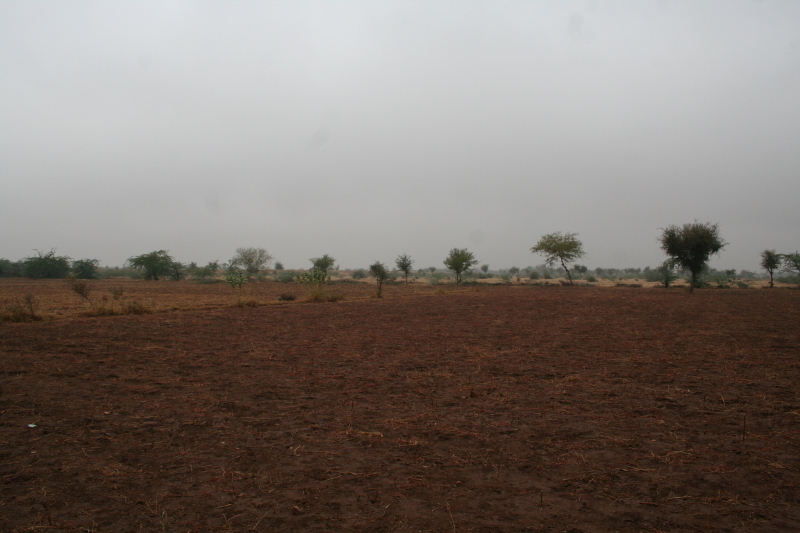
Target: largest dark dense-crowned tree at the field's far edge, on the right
{"points": [[691, 245]]}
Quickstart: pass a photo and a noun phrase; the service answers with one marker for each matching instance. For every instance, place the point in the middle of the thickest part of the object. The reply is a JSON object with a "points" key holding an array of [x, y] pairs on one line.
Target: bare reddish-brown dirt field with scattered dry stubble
{"points": [[563, 409]]}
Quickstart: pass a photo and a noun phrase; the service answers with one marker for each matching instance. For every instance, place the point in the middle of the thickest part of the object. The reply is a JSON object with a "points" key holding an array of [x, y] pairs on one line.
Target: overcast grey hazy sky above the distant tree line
{"points": [[369, 129]]}
